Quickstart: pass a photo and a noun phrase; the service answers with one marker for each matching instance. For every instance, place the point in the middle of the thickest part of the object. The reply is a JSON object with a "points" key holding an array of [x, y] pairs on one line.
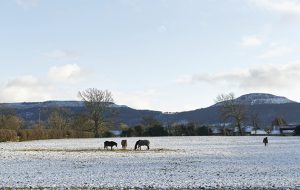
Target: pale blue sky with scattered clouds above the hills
{"points": [[168, 55]]}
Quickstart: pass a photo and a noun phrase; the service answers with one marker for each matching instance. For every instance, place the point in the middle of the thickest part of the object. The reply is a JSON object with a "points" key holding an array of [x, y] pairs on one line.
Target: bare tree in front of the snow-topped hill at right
{"points": [[230, 108]]}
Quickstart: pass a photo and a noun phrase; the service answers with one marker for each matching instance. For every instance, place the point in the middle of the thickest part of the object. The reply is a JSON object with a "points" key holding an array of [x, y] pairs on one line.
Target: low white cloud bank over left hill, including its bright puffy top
{"points": [[31, 88]]}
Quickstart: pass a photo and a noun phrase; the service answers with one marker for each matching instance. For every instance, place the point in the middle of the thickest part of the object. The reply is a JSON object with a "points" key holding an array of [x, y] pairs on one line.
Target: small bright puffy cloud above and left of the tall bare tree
{"points": [[66, 73]]}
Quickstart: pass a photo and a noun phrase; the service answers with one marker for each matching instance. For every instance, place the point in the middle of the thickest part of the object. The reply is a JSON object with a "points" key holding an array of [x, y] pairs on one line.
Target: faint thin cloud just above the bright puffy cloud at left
{"points": [[63, 55]]}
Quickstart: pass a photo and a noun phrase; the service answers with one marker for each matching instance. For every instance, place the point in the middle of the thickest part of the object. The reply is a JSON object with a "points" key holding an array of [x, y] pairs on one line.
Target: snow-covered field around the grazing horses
{"points": [[172, 162]]}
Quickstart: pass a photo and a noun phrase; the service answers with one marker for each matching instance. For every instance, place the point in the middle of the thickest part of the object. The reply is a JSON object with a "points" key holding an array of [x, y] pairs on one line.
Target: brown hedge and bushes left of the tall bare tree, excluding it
{"points": [[58, 125]]}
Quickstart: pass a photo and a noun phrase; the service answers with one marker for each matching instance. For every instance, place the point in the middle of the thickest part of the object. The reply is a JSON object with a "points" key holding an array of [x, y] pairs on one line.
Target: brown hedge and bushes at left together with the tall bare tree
{"points": [[61, 123]]}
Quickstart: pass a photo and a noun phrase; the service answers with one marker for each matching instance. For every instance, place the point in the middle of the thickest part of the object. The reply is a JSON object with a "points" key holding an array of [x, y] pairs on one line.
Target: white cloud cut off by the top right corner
{"points": [[282, 6]]}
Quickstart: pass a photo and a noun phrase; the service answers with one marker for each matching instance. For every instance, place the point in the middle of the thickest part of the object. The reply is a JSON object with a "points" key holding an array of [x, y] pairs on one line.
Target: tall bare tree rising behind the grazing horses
{"points": [[97, 102]]}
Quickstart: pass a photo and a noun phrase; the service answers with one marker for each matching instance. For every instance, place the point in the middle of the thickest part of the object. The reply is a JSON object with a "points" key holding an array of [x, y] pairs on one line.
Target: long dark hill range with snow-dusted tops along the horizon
{"points": [[266, 106]]}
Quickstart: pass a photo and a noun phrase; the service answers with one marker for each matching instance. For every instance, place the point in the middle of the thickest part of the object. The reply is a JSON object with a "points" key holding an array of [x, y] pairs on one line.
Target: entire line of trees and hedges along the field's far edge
{"points": [[96, 121]]}
